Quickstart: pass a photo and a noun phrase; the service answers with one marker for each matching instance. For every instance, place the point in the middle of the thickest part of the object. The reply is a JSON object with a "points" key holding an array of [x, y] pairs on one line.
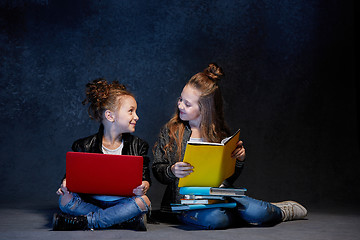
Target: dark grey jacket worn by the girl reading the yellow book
{"points": [[163, 162]]}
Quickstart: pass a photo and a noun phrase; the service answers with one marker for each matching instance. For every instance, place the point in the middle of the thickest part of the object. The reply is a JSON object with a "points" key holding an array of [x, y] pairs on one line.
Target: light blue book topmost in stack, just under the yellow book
{"points": [[230, 192]]}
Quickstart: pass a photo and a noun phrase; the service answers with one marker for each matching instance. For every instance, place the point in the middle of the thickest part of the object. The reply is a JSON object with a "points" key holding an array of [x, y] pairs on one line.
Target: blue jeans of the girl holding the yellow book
{"points": [[248, 210]]}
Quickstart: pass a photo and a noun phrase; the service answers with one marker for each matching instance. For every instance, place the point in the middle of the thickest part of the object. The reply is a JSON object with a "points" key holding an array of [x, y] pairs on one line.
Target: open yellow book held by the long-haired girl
{"points": [[212, 162]]}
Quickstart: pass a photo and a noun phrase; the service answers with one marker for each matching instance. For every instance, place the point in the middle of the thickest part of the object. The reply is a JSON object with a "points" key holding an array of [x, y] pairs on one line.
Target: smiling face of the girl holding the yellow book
{"points": [[188, 105]]}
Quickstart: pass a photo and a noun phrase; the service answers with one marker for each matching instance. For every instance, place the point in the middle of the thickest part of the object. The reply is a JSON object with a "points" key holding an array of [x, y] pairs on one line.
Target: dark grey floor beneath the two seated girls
{"points": [[30, 222]]}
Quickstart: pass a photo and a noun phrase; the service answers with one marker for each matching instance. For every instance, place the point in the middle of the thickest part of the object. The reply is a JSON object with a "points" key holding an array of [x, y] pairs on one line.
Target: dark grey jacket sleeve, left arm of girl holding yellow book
{"points": [[162, 162]]}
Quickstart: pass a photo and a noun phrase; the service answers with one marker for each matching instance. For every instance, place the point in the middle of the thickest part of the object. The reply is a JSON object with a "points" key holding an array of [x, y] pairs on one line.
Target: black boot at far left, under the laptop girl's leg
{"points": [[62, 222]]}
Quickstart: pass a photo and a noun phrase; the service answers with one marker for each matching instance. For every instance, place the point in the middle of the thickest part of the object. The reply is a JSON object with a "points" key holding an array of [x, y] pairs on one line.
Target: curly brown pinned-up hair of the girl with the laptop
{"points": [[103, 96]]}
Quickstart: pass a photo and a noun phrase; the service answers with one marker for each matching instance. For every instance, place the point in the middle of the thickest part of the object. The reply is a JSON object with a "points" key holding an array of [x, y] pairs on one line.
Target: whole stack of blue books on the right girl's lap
{"points": [[207, 197]]}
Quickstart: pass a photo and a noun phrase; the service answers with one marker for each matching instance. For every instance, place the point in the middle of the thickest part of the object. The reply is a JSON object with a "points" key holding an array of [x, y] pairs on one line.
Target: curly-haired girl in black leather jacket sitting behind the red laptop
{"points": [[115, 109]]}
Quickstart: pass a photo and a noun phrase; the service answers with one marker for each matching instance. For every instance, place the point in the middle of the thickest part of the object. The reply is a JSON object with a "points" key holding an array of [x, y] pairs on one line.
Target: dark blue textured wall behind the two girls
{"points": [[289, 86]]}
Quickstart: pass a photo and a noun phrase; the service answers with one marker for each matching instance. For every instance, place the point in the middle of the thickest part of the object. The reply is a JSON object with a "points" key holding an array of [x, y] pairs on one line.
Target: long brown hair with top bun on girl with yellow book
{"points": [[212, 126]]}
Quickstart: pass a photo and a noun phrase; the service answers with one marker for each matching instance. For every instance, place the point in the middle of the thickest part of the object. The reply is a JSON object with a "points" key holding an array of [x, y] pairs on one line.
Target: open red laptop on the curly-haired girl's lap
{"points": [[103, 174]]}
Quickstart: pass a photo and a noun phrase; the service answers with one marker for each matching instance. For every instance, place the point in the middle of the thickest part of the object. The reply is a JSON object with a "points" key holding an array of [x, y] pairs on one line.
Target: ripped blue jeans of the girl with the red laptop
{"points": [[103, 214]]}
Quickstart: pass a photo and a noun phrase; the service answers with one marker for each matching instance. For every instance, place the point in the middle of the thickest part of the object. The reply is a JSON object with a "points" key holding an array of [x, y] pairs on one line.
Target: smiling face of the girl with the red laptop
{"points": [[125, 116]]}
